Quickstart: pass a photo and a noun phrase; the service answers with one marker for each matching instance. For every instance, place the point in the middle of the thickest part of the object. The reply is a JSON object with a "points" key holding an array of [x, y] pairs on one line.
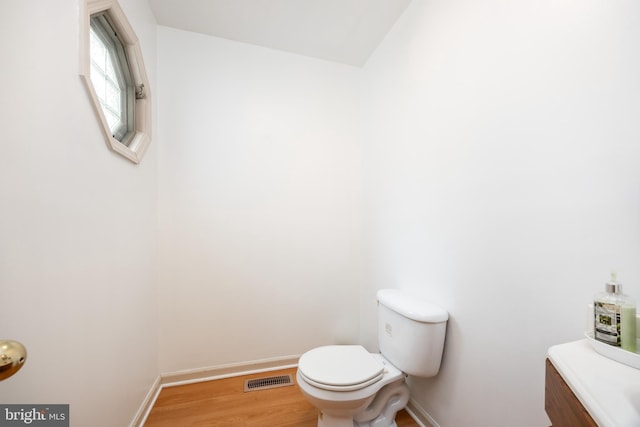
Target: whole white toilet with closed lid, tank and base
{"points": [[352, 387]]}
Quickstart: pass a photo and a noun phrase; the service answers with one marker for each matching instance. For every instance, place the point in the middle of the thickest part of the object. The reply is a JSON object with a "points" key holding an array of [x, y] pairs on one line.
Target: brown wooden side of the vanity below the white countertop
{"points": [[562, 406]]}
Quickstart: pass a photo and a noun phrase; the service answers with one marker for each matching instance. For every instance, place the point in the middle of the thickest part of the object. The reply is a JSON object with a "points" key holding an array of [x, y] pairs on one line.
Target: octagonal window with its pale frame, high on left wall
{"points": [[115, 77]]}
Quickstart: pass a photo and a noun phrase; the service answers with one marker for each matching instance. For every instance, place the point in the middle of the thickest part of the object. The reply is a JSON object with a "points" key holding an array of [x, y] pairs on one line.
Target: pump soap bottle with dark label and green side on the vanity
{"points": [[615, 316]]}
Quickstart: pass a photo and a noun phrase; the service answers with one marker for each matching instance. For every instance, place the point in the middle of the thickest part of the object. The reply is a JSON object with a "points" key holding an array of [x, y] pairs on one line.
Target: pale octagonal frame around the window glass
{"points": [[138, 138]]}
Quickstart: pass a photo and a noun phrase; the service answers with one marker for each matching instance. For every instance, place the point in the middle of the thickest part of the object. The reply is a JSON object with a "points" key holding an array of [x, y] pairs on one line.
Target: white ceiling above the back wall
{"points": [[345, 31]]}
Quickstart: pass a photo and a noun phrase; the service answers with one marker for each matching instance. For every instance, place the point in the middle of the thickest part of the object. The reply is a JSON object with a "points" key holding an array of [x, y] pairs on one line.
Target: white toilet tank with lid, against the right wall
{"points": [[411, 332]]}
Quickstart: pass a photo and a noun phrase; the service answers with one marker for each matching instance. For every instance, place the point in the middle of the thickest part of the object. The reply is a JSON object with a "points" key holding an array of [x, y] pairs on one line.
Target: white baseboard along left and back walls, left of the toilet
{"points": [[190, 376]]}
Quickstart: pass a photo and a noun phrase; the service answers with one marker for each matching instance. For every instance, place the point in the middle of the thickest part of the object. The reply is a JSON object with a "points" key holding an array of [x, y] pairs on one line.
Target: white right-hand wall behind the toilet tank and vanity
{"points": [[501, 157]]}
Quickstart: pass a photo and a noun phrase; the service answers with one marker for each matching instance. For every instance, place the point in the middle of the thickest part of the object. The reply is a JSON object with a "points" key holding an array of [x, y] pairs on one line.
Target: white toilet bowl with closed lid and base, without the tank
{"points": [[351, 386]]}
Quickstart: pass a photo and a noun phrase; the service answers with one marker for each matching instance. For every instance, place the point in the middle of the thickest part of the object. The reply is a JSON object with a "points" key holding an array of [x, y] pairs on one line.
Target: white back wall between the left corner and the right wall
{"points": [[259, 184]]}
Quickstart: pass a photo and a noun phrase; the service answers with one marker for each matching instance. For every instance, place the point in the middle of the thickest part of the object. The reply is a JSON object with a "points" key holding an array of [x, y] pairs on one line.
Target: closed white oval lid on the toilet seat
{"points": [[340, 367]]}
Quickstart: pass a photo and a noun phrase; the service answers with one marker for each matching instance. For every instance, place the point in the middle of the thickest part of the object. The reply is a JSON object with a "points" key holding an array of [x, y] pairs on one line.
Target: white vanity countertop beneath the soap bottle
{"points": [[609, 390]]}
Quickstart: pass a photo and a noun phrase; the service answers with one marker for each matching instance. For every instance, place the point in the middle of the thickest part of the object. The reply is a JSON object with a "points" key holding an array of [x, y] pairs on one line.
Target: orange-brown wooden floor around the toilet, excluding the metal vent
{"points": [[223, 403]]}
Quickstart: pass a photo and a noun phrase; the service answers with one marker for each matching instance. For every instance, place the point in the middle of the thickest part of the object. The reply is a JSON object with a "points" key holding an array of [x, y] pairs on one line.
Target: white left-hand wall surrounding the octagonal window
{"points": [[77, 226]]}
